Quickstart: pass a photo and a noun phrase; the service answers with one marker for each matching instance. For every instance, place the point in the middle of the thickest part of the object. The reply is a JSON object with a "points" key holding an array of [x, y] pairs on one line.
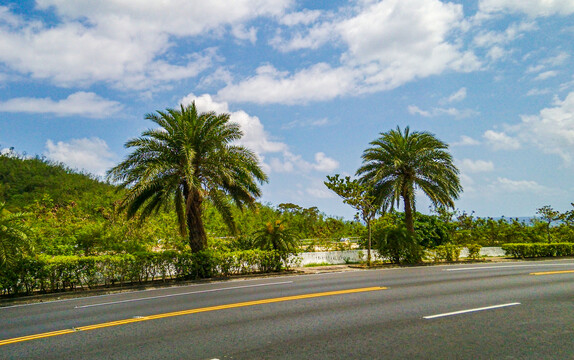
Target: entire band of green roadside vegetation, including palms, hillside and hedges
{"points": [[183, 205]]}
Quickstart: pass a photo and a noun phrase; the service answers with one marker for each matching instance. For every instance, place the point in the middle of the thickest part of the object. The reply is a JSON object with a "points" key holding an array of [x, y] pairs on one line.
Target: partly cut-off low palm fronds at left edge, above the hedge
{"points": [[14, 236]]}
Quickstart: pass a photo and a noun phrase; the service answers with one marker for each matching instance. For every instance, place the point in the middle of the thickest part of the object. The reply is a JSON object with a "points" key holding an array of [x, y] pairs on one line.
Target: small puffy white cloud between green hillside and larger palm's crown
{"points": [[91, 155]]}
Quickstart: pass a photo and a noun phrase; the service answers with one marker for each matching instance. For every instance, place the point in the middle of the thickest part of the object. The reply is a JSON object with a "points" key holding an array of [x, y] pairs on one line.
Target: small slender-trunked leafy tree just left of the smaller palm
{"points": [[360, 197]]}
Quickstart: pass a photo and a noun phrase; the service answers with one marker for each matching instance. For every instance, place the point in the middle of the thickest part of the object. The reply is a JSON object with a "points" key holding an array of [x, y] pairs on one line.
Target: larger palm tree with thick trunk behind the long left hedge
{"points": [[189, 159]]}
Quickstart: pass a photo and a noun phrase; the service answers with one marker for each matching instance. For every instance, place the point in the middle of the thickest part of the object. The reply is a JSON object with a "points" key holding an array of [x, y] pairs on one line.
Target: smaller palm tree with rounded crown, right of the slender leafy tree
{"points": [[398, 163]]}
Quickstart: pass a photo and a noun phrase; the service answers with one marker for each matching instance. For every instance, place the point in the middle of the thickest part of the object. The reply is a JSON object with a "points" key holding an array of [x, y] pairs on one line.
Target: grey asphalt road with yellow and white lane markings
{"points": [[516, 310]]}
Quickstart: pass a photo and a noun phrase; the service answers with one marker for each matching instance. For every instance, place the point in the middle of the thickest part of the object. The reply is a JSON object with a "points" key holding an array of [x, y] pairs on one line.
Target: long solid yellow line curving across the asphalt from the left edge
{"points": [[187, 312]]}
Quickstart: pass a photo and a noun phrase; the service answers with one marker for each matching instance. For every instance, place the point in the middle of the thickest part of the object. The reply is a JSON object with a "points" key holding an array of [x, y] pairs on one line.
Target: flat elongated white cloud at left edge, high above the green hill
{"points": [[78, 104]]}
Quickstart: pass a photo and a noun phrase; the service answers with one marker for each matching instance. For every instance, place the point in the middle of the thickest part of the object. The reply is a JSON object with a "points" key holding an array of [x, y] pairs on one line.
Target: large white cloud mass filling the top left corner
{"points": [[122, 42]]}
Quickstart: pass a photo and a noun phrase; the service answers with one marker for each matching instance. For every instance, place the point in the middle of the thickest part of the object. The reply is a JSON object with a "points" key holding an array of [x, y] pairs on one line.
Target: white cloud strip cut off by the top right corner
{"points": [[532, 8]]}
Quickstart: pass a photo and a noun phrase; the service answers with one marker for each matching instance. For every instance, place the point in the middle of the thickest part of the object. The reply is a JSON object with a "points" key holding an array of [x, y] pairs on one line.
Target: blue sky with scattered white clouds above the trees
{"points": [[311, 84]]}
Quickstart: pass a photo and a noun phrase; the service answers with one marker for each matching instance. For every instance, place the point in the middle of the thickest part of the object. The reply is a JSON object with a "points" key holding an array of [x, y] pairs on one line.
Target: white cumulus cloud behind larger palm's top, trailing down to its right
{"points": [[260, 141]]}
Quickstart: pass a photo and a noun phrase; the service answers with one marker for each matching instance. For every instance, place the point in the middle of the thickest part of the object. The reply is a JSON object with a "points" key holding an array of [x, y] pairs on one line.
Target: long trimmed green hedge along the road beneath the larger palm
{"points": [[61, 273]]}
